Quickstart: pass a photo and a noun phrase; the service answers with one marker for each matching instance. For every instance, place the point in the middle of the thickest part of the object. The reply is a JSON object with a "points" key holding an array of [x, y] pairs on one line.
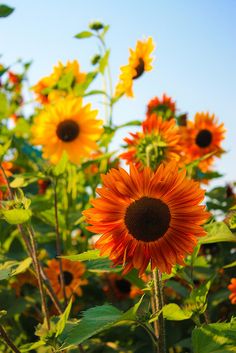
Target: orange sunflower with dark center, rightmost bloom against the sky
{"points": [[203, 137]]}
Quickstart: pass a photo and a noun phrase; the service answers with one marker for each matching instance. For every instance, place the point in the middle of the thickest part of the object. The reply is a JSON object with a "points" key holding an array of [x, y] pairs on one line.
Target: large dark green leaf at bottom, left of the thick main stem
{"points": [[94, 321]]}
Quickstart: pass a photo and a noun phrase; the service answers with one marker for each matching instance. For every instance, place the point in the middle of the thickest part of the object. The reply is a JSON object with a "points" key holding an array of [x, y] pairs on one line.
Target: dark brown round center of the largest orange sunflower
{"points": [[147, 219]]}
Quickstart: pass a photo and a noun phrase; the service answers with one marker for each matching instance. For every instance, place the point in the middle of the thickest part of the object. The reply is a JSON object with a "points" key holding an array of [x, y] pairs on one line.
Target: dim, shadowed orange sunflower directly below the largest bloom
{"points": [[116, 286]]}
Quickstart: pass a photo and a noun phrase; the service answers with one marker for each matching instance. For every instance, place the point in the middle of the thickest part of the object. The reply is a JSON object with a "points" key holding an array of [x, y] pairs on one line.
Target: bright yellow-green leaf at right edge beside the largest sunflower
{"points": [[217, 232]]}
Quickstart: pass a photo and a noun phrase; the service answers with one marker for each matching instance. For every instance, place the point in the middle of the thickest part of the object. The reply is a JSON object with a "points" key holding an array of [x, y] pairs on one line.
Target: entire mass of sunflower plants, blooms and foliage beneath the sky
{"points": [[103, 250]]}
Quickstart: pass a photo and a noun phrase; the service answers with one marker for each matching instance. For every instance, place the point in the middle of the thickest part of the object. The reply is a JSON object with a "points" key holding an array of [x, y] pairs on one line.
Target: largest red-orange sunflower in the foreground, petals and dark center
{"points": [[145, 216]]}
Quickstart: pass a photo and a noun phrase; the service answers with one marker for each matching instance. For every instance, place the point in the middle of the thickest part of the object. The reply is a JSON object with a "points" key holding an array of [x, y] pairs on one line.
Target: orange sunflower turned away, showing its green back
{"points": [[158, 142]]}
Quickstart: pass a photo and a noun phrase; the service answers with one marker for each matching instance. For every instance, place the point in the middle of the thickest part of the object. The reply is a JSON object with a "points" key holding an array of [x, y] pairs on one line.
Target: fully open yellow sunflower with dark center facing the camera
{"points": [[67, 126]]}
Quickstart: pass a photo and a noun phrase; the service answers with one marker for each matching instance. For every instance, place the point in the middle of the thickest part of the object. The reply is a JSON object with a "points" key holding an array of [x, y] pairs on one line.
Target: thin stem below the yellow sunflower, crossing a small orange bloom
{"points": [[58, 244]]}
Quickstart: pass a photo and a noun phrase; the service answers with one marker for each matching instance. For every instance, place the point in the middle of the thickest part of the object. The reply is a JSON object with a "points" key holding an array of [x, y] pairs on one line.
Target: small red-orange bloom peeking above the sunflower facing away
{"points": [[164, 107]]}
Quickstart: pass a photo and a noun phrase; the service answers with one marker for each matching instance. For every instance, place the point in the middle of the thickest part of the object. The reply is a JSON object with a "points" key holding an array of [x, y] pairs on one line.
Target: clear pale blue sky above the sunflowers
{"points": [[195, 51]]}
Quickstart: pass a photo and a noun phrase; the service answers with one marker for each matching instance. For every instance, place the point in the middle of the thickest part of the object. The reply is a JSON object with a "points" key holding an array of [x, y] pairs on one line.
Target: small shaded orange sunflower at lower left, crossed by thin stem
{"points": [[72, 271]]}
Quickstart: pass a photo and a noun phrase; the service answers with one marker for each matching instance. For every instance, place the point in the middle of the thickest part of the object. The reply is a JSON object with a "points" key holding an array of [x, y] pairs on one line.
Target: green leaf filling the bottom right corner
{"points": [[215, 338]]}
